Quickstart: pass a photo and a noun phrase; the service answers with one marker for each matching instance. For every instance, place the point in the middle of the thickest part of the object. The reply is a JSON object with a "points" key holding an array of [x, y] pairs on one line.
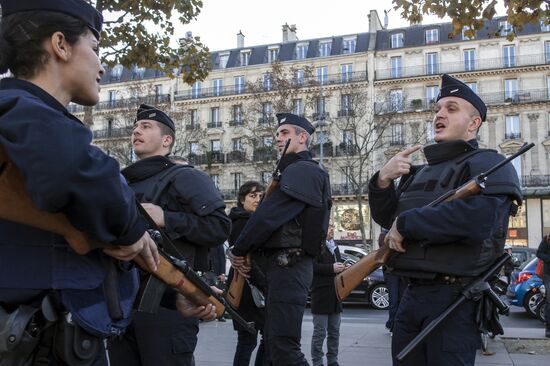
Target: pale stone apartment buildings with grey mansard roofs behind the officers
{"points": [[370, 95]]}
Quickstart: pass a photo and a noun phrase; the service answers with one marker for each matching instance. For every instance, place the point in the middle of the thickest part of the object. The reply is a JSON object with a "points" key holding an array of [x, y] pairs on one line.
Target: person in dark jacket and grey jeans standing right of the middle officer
{"points": [[325, 307]]}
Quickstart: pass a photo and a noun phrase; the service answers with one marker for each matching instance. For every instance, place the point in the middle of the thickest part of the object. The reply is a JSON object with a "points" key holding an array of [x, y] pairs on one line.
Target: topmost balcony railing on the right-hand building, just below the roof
{"points": [[462, 66]]}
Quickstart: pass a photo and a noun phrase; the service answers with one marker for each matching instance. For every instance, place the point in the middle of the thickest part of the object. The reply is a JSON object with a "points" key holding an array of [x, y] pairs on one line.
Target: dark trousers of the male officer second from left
{"points": [[163, 339]]}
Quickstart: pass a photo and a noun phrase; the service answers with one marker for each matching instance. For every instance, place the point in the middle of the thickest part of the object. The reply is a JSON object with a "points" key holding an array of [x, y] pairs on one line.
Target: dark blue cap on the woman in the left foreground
{"points": [[76, 8]]}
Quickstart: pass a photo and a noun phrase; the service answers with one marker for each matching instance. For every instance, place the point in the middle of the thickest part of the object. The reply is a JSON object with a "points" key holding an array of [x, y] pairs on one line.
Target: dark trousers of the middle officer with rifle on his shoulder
{"points": [[287, 289]]}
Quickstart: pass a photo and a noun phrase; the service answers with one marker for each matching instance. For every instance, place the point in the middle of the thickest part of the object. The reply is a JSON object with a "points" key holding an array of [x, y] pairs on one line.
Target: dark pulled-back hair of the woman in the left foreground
{"points": [[22, 36]]}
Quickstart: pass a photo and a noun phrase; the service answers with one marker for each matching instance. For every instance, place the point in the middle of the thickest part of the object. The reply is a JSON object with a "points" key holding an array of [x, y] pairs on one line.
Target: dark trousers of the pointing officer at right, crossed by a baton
{"points": [[453, 342]]}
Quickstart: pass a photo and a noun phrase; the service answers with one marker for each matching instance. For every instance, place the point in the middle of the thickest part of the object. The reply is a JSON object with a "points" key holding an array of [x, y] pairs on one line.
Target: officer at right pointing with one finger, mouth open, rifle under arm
{"points": [[440, 249]]}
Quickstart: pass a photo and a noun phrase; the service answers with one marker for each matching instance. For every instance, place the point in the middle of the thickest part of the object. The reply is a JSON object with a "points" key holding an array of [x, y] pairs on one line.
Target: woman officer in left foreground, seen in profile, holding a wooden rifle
{"points": [[53, 302]]}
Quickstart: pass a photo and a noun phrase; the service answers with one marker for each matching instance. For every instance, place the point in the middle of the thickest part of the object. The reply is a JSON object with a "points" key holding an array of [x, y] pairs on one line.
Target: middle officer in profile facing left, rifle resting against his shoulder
{"points": [[289, 227]]}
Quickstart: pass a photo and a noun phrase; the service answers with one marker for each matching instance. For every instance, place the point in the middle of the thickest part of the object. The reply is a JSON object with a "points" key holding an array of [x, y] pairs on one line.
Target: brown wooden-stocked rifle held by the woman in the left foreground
{"points": [[18, 207]]}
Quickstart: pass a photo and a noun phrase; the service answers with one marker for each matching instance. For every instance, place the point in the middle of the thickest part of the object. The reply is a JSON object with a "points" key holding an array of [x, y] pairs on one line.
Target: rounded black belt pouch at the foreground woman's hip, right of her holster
{"points": [[73, 345]]}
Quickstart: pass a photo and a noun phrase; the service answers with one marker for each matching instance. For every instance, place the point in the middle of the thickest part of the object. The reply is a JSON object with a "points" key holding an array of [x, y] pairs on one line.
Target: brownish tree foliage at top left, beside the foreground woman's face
{"points": [[138, 32]]}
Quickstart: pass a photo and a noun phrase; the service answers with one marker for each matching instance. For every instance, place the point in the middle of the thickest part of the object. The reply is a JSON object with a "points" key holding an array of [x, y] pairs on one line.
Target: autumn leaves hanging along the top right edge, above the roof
{"points": [[472, 13]]}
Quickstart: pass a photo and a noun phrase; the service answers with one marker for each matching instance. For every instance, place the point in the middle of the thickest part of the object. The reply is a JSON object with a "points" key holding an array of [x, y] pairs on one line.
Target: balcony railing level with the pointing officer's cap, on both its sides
{"points": [[497, 98]]}
